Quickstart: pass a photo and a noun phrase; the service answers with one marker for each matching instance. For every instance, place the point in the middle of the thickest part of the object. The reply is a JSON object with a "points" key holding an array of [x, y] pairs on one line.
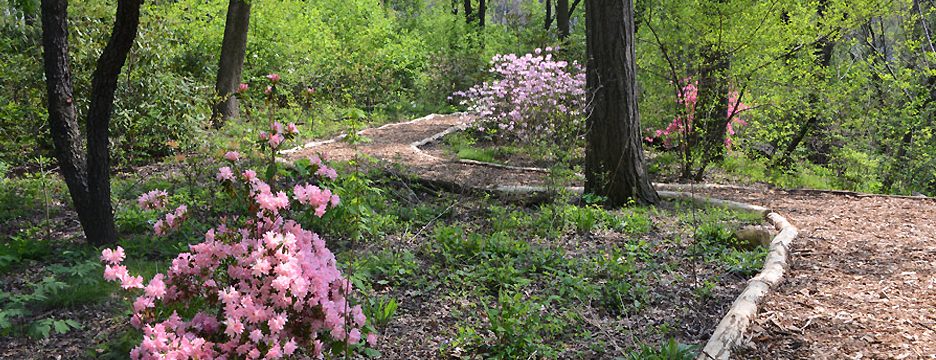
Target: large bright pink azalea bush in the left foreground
{"points": [[259, 284]]}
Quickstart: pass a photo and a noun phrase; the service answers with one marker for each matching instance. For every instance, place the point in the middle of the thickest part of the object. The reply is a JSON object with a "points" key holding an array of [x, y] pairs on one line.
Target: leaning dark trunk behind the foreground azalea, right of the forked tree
{"points": [[231, 64]]}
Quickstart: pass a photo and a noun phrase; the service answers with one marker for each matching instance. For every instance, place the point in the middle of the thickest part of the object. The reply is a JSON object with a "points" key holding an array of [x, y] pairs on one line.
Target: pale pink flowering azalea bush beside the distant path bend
{"points": [[533, 97]]}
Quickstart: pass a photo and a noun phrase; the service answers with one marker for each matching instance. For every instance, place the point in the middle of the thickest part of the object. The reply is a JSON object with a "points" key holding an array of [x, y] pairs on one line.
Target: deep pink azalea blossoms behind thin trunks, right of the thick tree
{"points": [[688, 97]]}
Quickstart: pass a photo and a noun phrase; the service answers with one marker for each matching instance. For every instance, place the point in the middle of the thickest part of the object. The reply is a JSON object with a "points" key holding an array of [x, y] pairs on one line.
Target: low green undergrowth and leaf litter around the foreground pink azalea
{"points": [[509, 280]]}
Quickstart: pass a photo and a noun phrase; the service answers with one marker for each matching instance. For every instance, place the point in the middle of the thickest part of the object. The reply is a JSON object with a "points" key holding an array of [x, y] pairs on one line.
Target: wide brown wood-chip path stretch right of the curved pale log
{"points": [[862, 280]]}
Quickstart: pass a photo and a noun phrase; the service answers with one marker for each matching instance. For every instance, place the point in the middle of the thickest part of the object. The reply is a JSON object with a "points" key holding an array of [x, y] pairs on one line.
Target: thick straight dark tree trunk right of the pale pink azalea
{"points": [[614, 163]]}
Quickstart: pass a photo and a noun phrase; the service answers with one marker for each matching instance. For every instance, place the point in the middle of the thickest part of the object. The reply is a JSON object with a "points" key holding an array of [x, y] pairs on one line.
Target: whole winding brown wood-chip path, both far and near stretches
{"points": [[862, 279]]}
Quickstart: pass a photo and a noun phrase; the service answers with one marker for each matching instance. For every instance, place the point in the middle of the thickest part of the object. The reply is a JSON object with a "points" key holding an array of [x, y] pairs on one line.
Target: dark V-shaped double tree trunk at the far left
{"points": [[88, 179]]}
